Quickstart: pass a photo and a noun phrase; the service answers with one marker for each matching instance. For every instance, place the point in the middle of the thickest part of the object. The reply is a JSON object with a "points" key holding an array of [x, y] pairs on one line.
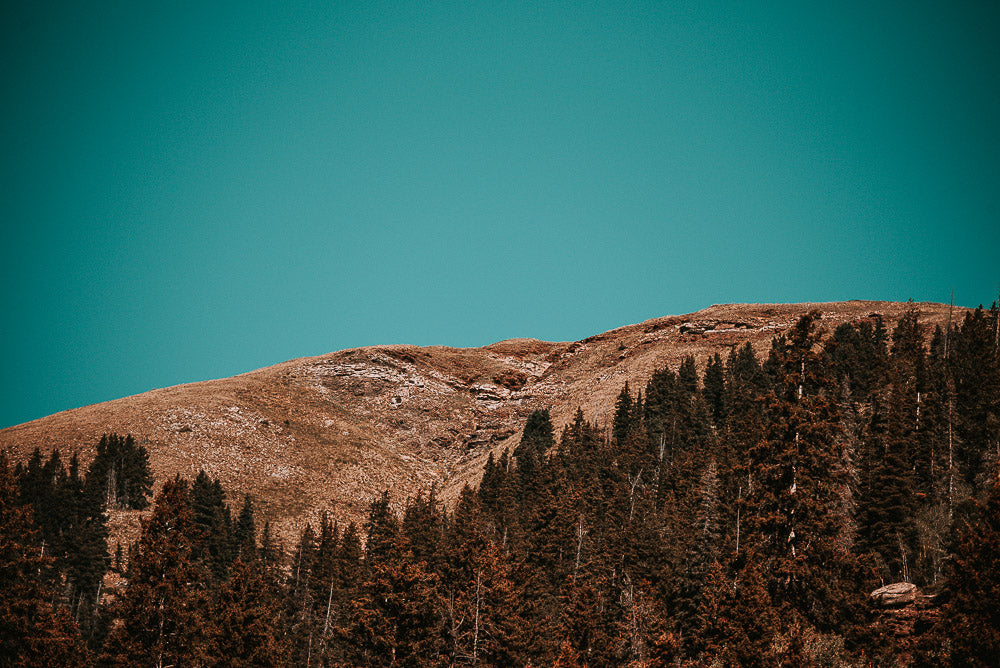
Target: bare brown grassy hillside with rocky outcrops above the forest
{"points": [[328, 433]]}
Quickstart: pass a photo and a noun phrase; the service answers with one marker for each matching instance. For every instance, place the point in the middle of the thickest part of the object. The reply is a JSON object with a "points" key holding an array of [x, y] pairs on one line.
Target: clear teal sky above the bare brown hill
{"points": [[196, 189]]}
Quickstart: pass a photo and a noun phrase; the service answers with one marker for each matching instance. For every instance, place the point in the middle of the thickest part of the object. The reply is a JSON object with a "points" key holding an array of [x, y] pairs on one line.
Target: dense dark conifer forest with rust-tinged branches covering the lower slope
{"points": [[739, 514]]}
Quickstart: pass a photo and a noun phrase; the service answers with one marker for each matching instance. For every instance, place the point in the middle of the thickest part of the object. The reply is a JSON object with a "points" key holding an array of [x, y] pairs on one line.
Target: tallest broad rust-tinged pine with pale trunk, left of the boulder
{"points": [[798, 519]]}
